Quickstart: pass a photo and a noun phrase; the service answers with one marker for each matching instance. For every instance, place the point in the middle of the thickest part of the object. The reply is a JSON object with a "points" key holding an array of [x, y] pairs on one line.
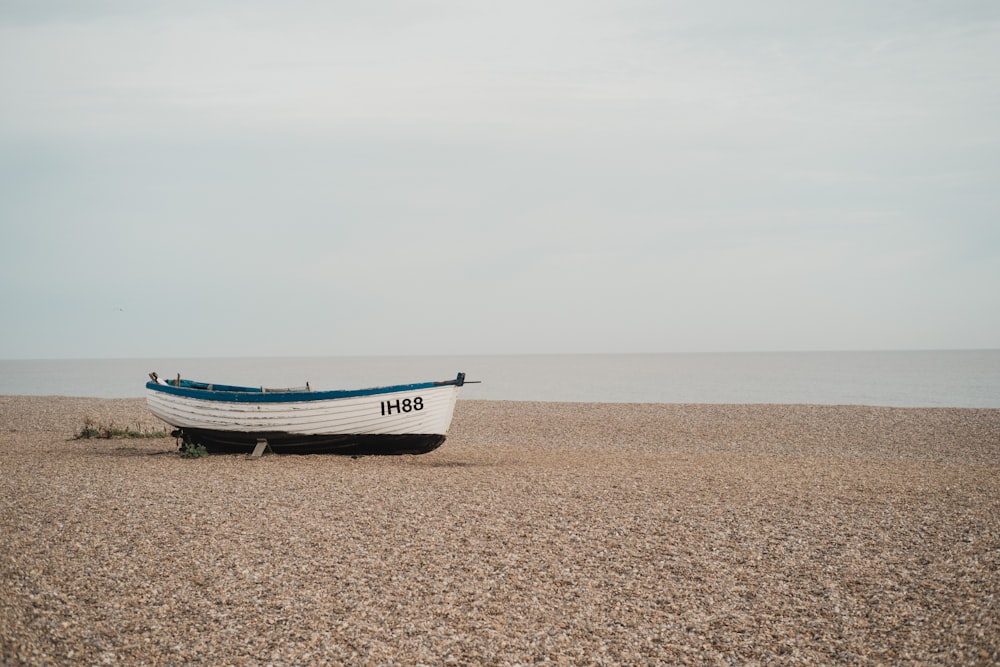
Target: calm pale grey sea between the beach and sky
{"points": [[957, 378]]}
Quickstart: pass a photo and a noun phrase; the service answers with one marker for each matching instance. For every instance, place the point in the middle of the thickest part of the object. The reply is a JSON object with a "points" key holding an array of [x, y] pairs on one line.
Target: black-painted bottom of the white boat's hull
{"points": [[290, 443]]}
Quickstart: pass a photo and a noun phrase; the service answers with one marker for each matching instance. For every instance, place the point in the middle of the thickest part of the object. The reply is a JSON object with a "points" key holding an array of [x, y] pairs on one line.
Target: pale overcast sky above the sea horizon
{"points": [[456, 177]]}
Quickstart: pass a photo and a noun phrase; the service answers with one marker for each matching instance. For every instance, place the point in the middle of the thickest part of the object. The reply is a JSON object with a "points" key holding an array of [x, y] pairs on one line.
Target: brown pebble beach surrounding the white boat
{"points": [[539, 532]]}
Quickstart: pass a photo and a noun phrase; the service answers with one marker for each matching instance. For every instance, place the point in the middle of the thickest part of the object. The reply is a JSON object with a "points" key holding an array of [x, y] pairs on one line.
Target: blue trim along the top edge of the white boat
{"points": [[233, 394]]}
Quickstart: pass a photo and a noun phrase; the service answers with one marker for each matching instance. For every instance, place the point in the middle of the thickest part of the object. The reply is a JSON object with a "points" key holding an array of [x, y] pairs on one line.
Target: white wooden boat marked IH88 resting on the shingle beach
{"points": [[401, 419]]}
